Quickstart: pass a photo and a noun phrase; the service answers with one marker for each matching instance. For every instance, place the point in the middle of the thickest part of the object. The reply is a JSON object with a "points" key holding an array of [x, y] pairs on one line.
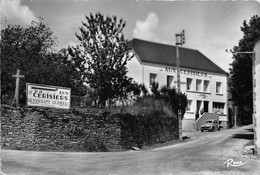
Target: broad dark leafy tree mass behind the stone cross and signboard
{"points": [[31, 50]]}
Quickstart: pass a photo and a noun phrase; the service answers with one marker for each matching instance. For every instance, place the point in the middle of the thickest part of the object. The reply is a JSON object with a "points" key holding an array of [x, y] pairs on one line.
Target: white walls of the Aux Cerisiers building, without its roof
{"points": [[206, 91]]}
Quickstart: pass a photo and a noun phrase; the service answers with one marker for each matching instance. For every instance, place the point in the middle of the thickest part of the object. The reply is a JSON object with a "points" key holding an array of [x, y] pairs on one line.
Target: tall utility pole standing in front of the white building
{"points": [[180, 36]]}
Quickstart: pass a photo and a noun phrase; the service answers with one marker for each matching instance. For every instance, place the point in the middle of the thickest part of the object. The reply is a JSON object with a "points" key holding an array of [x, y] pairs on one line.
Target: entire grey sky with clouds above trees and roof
{"points": [[210, 26]]}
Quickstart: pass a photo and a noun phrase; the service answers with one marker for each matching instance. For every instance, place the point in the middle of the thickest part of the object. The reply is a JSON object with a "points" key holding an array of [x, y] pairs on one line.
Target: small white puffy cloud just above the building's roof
{"points": [[146, 29]]}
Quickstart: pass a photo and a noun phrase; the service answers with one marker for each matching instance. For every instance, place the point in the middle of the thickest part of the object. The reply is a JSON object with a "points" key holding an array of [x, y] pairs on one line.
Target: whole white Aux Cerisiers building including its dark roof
{"points": [[203, 81]]}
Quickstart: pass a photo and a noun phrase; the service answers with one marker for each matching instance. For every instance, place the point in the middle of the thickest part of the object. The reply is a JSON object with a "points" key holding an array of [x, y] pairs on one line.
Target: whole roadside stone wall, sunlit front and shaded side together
{"points": [[45, 129]]}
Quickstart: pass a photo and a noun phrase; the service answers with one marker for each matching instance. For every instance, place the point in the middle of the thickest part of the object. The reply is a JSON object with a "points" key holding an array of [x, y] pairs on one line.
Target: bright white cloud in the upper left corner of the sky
{"points": [[13, 9]]}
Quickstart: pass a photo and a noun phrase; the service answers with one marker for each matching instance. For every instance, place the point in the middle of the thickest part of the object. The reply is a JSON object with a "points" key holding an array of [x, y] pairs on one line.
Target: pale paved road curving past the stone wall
{"points": [[203, 153]]}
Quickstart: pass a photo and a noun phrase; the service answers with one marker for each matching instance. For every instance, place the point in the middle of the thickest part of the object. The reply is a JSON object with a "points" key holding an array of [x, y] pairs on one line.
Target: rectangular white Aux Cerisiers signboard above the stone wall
{"points": [[48, 96]]}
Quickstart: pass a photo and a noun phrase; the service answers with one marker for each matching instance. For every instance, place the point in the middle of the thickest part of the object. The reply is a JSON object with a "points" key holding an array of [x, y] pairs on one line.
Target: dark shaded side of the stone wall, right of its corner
{"points": [[139, 131]]}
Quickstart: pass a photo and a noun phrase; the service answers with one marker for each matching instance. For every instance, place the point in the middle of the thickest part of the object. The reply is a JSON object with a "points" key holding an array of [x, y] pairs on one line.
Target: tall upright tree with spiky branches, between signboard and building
{"points": [[102, 55]]}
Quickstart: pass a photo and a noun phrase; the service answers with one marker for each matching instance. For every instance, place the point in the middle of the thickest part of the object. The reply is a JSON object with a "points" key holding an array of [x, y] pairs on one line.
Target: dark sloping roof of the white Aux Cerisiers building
{"points": [[163, 54]]}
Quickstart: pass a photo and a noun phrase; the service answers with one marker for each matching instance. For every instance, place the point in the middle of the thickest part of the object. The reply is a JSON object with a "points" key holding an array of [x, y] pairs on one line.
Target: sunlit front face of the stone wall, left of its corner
{"points": [[53, 129]]}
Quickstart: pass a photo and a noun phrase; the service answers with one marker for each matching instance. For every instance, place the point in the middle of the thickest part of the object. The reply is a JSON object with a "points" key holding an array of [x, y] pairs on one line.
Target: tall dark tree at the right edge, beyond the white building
{"points": [[241, 71]]}
